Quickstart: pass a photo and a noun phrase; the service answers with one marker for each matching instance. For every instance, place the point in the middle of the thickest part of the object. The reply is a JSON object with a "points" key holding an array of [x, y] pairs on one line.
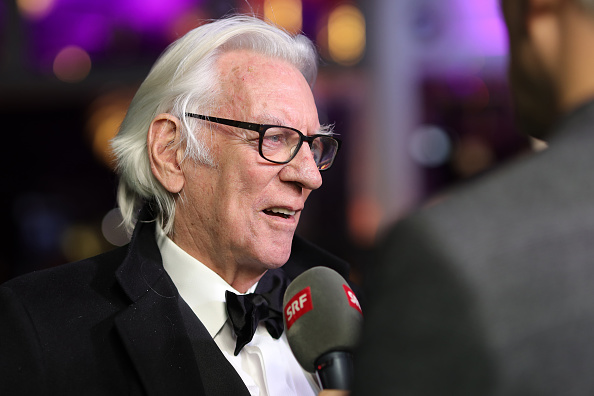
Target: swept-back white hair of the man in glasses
{"points": [[184, 80]]}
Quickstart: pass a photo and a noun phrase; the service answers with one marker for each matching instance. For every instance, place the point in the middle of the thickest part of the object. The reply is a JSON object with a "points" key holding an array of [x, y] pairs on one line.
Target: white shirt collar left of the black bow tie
{"points": [[200, 287]]}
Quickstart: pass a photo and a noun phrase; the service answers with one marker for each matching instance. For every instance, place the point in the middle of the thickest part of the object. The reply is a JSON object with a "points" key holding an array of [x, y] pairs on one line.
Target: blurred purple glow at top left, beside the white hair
{"points": [[96, 26]]}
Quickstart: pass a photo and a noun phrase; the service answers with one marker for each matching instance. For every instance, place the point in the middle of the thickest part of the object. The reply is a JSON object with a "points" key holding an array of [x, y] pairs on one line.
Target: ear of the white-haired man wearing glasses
{"points": [[165, 152]]}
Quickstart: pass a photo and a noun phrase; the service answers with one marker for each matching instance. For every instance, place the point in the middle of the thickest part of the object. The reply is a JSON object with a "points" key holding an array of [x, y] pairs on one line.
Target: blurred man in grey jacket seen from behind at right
{"points": [[491, 291]]}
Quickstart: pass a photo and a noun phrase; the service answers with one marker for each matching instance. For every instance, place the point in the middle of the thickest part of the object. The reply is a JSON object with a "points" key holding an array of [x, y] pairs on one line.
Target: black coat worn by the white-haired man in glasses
{"points": [[115, 324]]}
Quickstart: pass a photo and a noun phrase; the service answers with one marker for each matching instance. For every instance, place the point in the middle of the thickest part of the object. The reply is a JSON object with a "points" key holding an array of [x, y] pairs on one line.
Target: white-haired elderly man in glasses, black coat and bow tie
{"points": [[217, 155]]}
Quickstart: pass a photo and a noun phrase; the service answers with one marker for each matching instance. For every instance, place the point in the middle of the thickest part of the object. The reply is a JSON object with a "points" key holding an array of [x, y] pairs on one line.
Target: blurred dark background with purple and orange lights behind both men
{"points": [[416, 88]]}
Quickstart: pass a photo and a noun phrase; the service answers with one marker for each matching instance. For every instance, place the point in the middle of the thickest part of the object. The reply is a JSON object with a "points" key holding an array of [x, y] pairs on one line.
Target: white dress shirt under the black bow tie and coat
{"points": [[266, 365]]}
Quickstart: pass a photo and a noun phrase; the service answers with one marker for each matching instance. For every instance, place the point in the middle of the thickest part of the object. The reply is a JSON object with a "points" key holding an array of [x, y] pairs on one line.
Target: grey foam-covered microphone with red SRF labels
{"points": [[323, 319]]}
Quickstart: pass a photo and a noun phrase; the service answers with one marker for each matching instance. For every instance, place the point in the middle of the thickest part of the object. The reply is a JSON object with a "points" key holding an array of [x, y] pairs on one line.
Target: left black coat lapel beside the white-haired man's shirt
{"points": [[152, 328]]}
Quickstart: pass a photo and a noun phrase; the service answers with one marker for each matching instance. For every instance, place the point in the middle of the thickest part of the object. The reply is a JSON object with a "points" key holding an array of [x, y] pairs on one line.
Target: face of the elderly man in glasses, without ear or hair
{"points": [[245, 210]]}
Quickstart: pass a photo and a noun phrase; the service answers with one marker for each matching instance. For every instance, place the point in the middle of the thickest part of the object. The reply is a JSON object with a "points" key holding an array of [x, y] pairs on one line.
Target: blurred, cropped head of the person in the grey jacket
{"points": [[550, 58]]}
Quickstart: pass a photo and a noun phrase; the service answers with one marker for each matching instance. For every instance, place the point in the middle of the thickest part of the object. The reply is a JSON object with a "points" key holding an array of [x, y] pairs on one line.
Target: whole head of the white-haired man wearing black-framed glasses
{"points": [[215, 187]]}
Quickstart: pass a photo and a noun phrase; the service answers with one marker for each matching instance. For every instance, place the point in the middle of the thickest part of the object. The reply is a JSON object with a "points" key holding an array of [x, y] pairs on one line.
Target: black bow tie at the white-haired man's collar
{"points": [[266, 304]]}
